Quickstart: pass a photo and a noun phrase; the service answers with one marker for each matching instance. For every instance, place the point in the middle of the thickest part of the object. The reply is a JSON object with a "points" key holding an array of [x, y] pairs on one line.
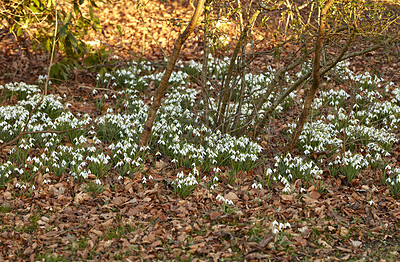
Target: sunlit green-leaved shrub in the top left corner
{"points": [[42, 20]]}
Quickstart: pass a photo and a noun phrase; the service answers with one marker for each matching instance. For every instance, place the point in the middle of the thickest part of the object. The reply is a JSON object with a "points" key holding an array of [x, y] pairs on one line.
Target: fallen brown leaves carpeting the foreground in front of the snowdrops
{"points": [[130, 221]]}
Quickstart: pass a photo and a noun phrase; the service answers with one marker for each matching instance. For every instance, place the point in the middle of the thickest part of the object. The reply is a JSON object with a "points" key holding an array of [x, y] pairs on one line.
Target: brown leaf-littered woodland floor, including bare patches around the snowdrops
{"points": [[62, 219]]}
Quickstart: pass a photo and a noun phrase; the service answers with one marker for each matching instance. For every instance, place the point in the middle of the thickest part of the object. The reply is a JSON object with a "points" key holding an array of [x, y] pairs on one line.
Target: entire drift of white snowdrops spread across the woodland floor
{"points": [[178, 131]]}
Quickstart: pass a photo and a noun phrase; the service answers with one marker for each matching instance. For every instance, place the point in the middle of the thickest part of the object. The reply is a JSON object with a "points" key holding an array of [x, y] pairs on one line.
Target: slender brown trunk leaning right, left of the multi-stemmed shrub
{"points": [[163, 86]]}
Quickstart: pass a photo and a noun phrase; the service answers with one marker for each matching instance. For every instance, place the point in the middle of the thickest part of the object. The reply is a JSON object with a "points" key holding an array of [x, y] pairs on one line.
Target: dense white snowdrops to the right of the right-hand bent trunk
{"points": [[371, 122]]}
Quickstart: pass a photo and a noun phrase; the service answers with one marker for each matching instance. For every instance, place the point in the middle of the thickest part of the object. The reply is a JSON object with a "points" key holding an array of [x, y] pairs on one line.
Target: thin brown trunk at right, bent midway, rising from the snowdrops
{"points": [[316, 76]]}
